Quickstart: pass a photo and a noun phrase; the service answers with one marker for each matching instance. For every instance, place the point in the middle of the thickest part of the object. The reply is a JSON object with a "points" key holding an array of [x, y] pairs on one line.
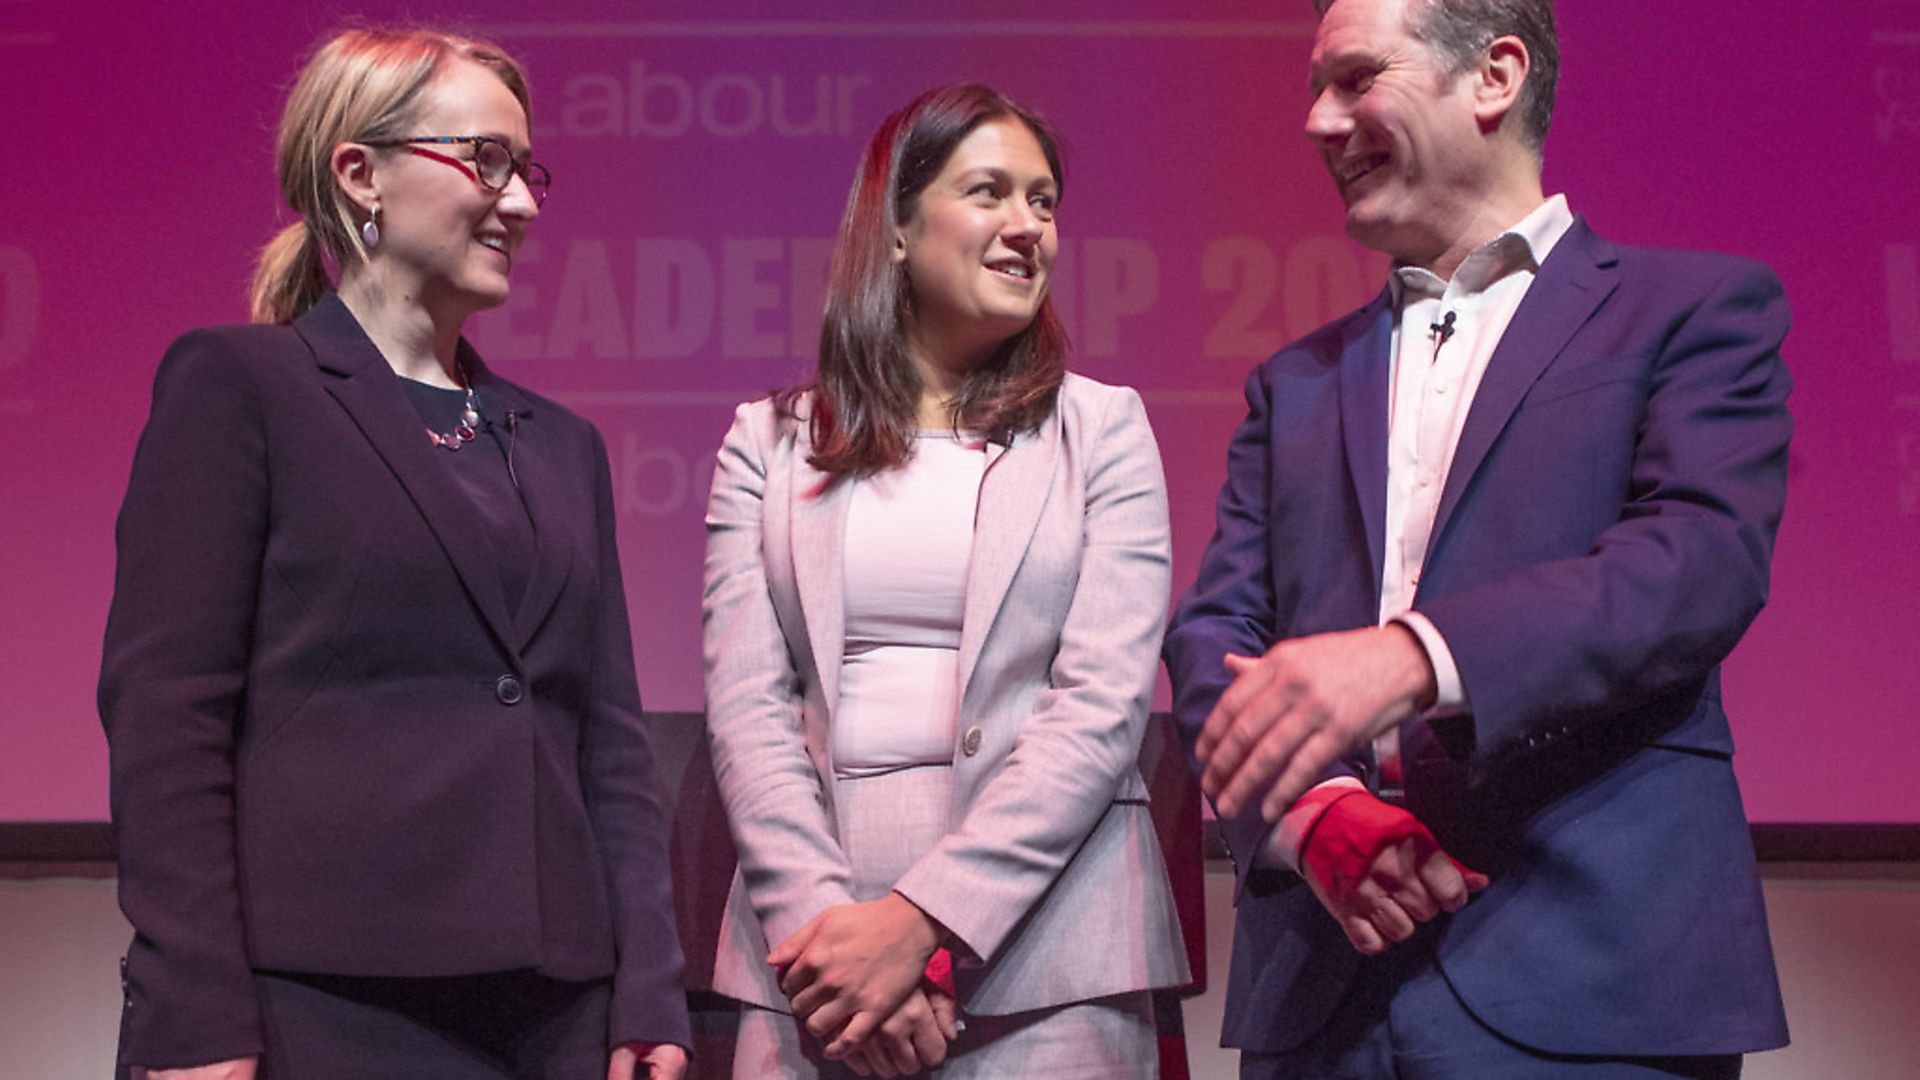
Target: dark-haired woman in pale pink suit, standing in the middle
{"points": [[936, 583]]}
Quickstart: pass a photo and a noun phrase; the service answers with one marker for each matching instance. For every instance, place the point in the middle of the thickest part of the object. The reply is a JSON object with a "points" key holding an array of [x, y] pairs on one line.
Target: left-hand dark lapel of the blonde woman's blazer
{"points": [[373, 399]]}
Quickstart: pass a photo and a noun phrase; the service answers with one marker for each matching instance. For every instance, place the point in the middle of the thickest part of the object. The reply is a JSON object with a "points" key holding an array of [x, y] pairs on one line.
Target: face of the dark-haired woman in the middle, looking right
{"points": [[980, 245]]}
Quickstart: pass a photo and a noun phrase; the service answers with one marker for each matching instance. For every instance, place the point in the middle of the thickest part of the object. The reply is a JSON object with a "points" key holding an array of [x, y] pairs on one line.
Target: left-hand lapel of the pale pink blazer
{"points": [[817, 512]]}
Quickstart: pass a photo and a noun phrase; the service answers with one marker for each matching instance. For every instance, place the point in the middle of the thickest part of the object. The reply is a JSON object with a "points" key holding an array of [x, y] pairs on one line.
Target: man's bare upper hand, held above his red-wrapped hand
{"points": [[1307, 704]]}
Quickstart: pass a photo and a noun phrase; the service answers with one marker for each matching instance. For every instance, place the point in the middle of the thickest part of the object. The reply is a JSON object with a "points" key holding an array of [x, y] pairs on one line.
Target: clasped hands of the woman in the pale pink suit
{"points": [[855, 979]]}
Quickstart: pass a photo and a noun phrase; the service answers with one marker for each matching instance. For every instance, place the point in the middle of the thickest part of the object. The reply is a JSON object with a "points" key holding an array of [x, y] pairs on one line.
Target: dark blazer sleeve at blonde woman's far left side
{"points": [[172, 695]]}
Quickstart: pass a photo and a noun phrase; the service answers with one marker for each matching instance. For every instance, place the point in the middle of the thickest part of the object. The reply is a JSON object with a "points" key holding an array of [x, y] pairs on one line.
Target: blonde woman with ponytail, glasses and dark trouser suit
{"points": [[381, 779]]}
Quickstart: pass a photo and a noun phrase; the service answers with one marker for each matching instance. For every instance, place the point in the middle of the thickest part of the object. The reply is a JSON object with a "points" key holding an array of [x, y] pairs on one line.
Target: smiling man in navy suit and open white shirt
{"points": [[1452, 658]]}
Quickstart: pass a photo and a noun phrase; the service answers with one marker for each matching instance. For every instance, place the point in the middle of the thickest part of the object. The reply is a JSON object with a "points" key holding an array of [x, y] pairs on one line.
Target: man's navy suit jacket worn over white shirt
{"points": [[1602, 543]]}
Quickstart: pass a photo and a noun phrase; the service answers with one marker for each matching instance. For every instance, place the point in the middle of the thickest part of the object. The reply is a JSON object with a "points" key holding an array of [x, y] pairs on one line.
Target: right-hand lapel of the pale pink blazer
{"points": [[1009, 510]]}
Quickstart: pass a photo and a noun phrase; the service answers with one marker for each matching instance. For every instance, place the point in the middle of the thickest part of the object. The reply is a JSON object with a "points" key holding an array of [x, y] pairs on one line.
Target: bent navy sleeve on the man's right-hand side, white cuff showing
{"points": [[1666, 591]]}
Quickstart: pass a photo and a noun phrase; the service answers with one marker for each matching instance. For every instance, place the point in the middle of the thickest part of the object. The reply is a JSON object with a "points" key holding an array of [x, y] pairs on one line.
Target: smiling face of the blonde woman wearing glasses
{"points": [[446, 241]]}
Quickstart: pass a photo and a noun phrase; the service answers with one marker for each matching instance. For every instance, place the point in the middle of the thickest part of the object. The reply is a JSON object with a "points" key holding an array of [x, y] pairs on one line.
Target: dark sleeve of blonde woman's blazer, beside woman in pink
{"points": [[625, 802]]}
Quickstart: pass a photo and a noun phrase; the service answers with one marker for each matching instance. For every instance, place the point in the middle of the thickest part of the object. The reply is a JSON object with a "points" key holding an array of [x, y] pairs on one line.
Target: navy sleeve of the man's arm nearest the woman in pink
{"points": [[1230, 608]]}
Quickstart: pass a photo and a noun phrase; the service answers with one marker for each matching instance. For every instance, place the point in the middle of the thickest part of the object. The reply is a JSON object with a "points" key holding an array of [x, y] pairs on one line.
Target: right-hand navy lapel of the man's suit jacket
{"points": [[1575, 282]]}
